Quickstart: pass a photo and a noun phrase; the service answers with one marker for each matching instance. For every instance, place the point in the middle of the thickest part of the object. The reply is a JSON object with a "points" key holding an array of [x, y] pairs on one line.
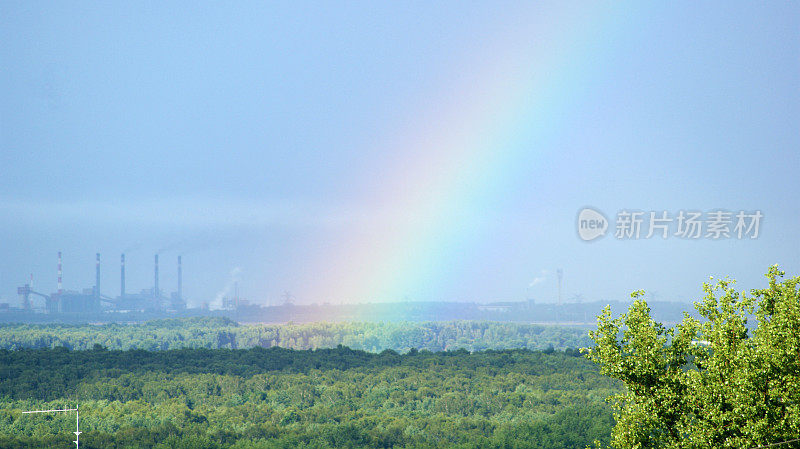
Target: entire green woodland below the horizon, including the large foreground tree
{"points": [[730, 379]]}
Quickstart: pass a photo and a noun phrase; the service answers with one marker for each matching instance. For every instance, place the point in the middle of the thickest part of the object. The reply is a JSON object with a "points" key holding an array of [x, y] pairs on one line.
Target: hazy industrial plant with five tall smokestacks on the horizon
{"points": [[92, 300]]}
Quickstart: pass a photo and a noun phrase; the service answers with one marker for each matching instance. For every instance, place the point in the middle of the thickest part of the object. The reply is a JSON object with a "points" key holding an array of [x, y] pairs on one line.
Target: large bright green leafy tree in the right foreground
{"points": [[711, 383]]}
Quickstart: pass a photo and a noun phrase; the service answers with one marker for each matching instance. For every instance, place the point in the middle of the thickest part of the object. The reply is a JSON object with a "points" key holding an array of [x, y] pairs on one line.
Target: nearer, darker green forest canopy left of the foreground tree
{"points": [[280, 398]]}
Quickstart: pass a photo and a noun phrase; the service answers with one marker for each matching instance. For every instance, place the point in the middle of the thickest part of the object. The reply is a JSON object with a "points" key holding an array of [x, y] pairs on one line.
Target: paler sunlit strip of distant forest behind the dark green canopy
{"points": [[219, 333]]}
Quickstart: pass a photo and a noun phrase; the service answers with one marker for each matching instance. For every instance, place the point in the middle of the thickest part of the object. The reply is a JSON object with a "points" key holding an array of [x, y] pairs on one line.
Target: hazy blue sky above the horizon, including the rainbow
{"points": [[358, 151]]}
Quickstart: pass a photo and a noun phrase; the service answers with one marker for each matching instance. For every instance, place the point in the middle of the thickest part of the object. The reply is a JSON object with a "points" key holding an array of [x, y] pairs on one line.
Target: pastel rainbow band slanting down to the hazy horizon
{"points": [[463, 153]]}
